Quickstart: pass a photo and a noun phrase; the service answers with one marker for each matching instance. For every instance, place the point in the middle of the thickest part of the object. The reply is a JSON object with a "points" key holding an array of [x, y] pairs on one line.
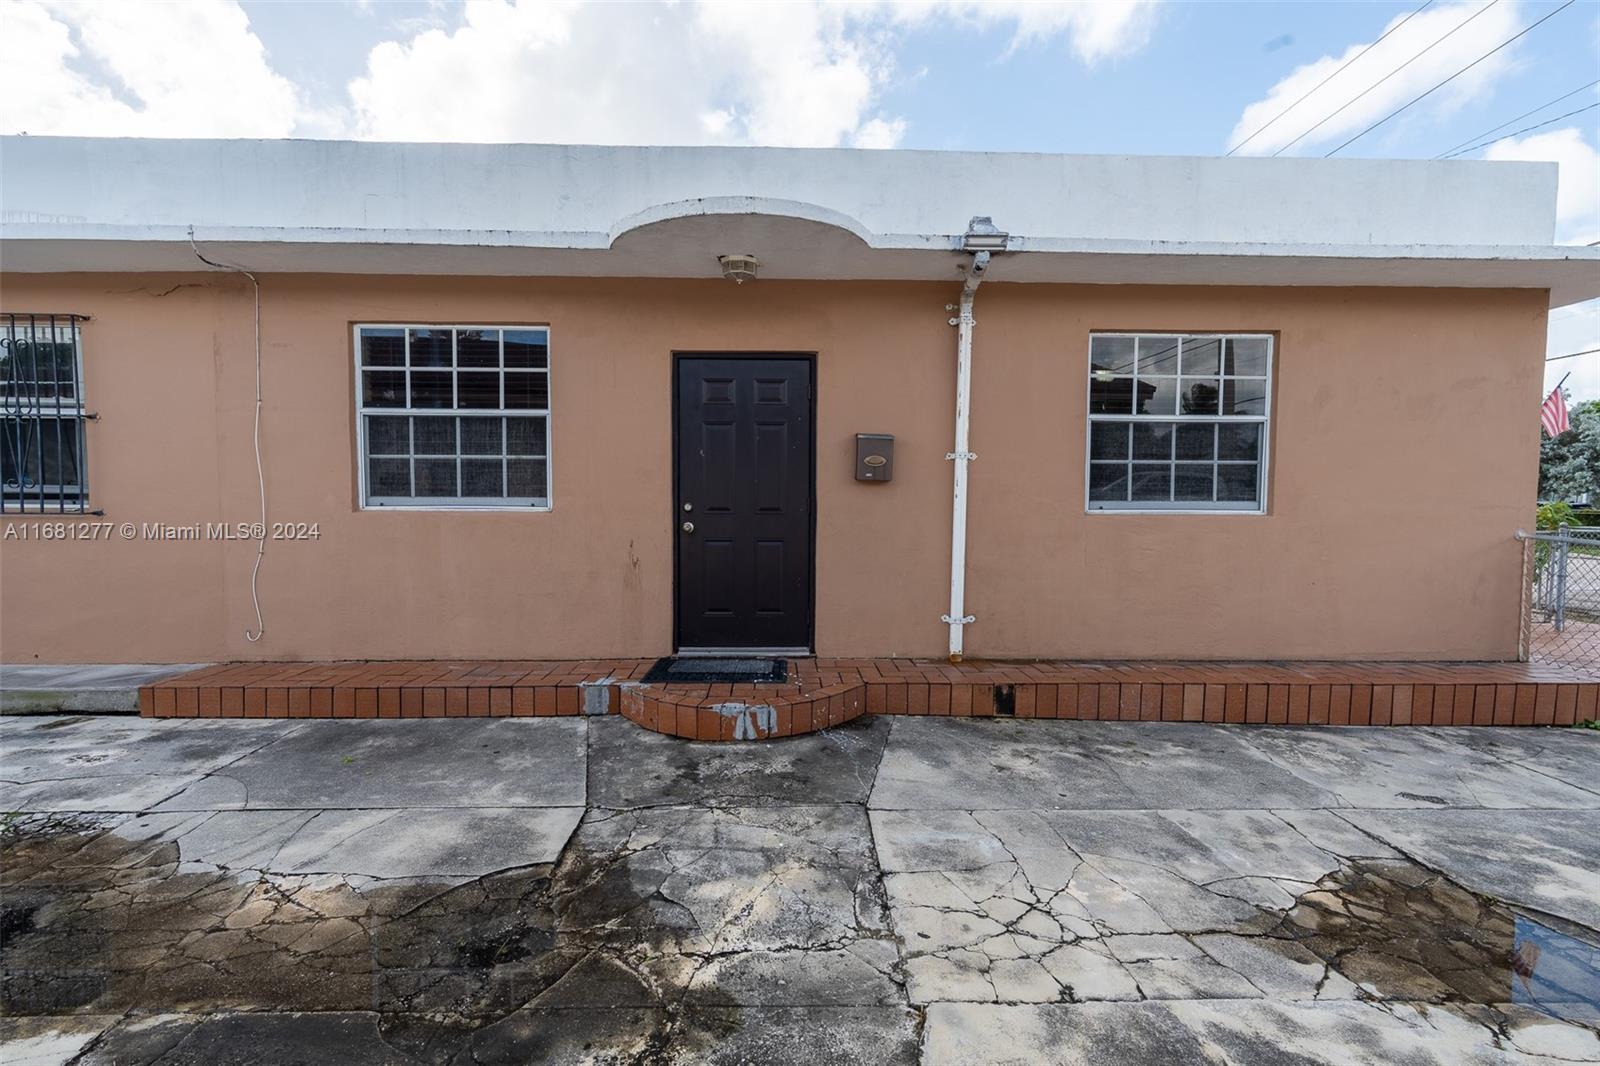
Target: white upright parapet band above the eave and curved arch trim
{"points": [[564, 190]]}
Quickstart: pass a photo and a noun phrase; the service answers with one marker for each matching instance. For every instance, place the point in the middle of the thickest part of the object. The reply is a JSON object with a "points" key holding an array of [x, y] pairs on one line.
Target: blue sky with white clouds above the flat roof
{"points": [[1100, 76]]}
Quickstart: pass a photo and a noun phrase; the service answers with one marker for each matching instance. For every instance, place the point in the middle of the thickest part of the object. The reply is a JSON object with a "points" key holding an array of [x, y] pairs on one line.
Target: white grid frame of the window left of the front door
{"points": [[522, 505]]}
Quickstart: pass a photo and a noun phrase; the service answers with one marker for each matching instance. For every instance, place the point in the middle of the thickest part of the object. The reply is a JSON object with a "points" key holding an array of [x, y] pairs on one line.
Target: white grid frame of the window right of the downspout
{"points": [[1190, 508]]}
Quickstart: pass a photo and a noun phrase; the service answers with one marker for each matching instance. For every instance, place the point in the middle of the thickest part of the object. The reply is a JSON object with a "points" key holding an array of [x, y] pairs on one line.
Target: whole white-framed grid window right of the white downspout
{"points": [[1178, 422]]}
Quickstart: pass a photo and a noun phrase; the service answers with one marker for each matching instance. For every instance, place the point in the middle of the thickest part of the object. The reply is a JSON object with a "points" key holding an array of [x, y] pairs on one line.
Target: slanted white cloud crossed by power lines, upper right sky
{"points": [[1473, 41]]}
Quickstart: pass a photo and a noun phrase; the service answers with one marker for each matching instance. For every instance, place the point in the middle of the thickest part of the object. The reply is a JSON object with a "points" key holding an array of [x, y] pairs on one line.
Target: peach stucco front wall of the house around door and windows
{"points": [[1404, 459]]}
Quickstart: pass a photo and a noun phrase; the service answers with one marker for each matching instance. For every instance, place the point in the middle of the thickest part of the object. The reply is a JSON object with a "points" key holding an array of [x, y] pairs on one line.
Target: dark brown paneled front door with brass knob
{"points": [[743, 521]]}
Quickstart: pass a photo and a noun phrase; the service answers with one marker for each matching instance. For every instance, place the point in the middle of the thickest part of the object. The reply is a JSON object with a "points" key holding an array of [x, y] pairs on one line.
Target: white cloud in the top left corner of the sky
{"points": [[135, 70]]}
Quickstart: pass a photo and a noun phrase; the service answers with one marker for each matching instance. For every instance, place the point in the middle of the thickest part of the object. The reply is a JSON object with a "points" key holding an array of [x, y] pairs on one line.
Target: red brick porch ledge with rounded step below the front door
{"points": [[828, 692]]}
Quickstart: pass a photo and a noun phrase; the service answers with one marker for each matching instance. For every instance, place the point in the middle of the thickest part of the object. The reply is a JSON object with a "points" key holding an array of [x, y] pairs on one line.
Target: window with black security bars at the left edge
{"points": [[42, 415]]}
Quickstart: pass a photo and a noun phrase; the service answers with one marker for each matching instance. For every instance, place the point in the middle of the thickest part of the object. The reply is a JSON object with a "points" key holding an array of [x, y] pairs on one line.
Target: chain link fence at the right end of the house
{"points": [[1562, 596]]}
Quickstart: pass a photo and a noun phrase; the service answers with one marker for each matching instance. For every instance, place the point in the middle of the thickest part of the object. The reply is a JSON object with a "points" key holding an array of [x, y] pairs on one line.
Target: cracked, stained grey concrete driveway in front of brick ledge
{"points": [[524, 891]]}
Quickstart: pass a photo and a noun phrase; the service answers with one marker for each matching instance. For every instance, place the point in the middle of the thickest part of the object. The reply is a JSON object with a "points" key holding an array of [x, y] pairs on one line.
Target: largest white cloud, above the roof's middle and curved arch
{"points": [[791, 74]]}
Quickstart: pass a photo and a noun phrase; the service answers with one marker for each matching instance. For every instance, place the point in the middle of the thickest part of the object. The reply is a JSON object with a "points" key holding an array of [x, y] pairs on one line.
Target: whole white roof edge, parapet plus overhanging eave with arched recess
{"points": [[79, 204]]}
